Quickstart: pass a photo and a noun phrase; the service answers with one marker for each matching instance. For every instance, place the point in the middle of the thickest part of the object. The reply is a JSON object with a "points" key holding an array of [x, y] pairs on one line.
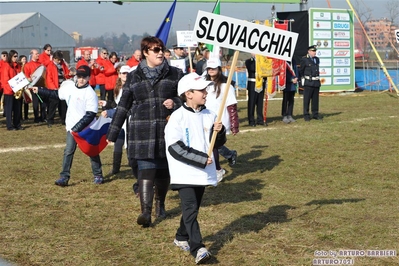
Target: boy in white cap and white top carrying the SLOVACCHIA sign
{"points": [[187, 136]]}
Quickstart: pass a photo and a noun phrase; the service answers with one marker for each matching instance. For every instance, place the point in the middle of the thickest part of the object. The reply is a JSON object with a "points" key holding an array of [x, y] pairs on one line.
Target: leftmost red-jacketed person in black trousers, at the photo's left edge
{"points": [[13, 106]]}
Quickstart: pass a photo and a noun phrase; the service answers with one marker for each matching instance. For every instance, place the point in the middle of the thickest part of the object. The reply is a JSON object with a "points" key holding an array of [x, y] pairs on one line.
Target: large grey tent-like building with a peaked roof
{"points": [[25, 31]]}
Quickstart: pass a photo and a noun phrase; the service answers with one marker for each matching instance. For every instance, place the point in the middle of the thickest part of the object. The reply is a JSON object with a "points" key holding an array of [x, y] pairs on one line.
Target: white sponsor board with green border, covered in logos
{"points": [[332, 30]]}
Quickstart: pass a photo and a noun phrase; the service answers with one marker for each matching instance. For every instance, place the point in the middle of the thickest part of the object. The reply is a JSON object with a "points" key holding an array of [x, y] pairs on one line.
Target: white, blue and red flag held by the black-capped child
{"points": [[92, 140]]}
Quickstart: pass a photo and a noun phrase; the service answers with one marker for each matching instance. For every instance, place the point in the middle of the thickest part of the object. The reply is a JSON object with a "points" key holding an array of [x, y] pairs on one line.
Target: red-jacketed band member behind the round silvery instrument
{"points": [[39, 108]]}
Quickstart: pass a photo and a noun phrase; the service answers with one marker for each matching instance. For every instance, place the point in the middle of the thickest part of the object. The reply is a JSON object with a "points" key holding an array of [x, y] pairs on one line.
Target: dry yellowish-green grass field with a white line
{"points": [[299, 192]]}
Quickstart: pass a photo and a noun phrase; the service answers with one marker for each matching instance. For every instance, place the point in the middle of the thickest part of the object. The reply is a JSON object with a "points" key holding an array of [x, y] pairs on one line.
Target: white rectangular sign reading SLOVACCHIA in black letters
{"points": [[244, 36]]}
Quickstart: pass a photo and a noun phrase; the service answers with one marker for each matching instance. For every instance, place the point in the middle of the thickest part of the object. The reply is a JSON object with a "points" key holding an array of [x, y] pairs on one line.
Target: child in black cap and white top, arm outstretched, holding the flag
{"points": [[82, 109]]}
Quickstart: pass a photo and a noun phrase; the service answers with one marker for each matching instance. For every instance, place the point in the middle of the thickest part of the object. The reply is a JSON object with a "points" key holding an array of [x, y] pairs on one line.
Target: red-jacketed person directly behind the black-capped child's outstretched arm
{"points": [[56, 73]]}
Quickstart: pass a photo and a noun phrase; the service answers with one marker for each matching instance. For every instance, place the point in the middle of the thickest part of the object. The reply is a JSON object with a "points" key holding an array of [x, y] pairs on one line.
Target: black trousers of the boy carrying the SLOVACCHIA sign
{"points": [[190, 198]]}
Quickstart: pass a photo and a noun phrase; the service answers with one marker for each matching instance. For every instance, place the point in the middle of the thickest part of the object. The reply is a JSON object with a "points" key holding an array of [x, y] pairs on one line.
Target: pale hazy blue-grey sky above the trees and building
{"points": [[92, 19]]}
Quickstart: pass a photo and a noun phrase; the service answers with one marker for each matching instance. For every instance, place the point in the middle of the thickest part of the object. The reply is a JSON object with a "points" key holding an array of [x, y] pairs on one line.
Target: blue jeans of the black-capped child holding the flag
{"points": [[68, 158]]}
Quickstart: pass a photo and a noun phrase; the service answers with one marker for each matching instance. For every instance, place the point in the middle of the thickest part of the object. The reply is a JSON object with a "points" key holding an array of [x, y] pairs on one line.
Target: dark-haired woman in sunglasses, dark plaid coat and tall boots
{"points": [[149, 96]]}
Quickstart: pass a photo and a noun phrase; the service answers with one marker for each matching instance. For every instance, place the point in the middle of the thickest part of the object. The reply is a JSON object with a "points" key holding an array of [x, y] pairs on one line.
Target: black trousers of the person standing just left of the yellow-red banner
{"points": [[255, 102]]}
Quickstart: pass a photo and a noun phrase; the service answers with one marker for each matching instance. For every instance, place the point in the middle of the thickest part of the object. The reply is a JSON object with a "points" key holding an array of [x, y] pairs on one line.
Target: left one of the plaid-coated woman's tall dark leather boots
{"points": [[146, 190]]}
